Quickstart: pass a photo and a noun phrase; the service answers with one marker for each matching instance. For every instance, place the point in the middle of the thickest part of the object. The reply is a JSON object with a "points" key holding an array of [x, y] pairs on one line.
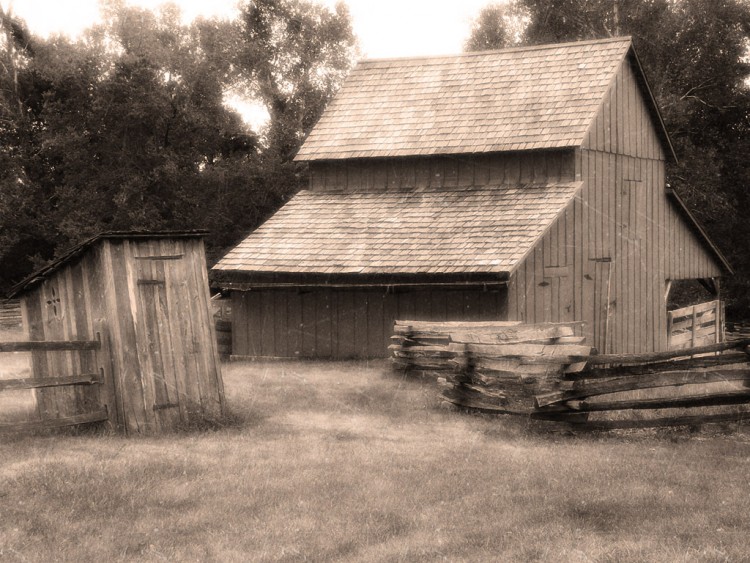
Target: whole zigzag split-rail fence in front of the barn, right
{"points": [[545, 371]]}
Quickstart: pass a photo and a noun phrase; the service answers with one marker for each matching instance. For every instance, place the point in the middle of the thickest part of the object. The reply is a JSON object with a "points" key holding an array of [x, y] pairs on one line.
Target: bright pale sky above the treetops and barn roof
{"points": [[385, 28]]}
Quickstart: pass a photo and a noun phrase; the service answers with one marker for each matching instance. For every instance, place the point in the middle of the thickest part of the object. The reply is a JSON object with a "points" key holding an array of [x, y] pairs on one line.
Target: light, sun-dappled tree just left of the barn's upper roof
{"points": [[294, 55]]}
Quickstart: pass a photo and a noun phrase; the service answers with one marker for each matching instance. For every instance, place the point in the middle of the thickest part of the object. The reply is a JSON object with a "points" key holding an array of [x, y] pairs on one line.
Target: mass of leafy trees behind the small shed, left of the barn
{"points": [[127, 128]]}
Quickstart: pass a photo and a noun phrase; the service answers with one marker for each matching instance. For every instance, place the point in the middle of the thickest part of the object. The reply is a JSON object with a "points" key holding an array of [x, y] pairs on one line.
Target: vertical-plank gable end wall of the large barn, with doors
{"points": [[626, 238]]}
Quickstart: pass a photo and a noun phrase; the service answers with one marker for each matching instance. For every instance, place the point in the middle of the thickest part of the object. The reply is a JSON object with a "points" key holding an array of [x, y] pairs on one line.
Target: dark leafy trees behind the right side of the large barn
{"points": [[695, 55]]}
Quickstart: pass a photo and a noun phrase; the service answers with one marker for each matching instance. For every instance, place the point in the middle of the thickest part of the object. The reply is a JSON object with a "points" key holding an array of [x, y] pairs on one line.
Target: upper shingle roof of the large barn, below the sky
{"points": [[539, 97]]}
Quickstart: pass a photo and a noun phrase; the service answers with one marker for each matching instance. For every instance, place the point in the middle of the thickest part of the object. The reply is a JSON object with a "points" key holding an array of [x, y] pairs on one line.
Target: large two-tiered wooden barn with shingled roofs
{"points": [[522, 184]]}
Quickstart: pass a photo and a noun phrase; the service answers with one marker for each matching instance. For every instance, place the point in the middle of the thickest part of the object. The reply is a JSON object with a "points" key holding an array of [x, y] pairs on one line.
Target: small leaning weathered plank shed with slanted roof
{"points": [[145, 297]]}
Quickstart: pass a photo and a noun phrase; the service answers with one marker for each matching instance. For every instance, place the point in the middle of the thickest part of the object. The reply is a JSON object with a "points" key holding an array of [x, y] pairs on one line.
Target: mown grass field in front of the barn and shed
{"points": [[348, 462]]}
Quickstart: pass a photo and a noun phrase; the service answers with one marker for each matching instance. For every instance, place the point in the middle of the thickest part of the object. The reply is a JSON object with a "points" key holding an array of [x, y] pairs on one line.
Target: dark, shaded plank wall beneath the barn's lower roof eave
{"points": [[355, 323]]}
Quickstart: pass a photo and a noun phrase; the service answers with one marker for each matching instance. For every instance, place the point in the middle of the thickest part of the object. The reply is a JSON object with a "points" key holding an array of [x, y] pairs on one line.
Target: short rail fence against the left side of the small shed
{"points": [[81, 404]]}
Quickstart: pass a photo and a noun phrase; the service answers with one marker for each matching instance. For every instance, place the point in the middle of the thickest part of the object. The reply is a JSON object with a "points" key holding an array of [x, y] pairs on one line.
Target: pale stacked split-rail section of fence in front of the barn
{"points": [[497, 366]]}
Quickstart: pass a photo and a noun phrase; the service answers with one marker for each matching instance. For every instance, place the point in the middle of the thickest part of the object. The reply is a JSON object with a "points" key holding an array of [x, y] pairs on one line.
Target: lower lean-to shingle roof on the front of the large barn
{"points": [[460, 230]]}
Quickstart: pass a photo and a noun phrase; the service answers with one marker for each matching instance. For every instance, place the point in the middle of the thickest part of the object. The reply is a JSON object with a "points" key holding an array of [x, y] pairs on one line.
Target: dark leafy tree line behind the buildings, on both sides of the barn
{"points": [[127, 127]]}
